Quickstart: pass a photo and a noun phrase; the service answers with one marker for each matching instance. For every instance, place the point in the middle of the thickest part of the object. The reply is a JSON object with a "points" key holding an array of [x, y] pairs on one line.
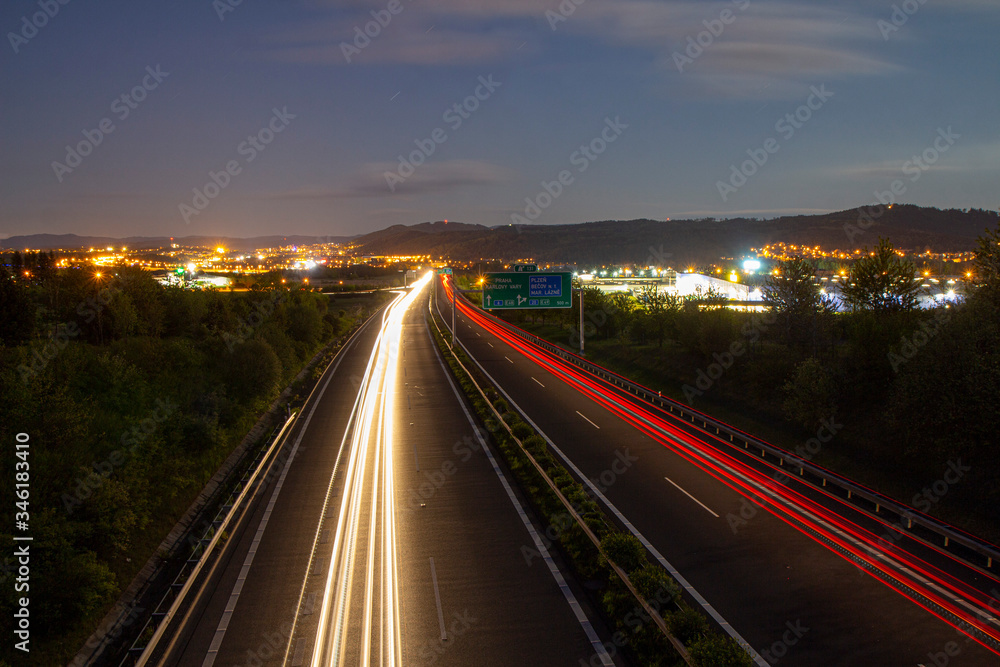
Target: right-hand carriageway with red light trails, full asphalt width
{"points": [[796, 572]]}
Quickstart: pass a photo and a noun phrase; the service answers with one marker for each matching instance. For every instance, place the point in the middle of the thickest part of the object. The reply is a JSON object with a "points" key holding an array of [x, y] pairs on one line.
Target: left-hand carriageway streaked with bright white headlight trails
{"points": [[392, 535]]}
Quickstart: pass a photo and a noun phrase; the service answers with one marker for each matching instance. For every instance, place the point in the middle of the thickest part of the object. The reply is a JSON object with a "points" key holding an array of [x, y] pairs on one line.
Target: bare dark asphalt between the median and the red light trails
{"points": [[794, 600]]}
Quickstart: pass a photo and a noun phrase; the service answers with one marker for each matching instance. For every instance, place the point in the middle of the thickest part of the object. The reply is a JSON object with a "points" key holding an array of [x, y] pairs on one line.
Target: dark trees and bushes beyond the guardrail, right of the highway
{"points": [[909, 392]]}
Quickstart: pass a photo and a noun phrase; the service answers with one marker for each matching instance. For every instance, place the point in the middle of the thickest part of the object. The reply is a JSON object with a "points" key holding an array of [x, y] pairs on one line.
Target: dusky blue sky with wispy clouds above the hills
{"points": [[676, 119]]}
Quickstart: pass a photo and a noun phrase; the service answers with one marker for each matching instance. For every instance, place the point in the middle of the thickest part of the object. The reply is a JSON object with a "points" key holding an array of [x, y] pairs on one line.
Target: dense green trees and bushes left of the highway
{"points": [[132, 394]]}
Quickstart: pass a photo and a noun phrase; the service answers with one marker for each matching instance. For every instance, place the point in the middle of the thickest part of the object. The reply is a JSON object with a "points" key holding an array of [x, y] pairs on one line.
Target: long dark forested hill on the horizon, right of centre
{"points": [[681, 241]]}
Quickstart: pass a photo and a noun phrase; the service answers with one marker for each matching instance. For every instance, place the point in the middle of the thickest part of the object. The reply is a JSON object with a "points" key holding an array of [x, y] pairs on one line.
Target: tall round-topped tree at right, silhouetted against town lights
{"points": [[882, 282]]}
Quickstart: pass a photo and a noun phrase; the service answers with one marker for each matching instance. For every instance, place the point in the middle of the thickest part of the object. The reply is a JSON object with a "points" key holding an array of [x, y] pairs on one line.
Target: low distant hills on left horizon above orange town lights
{"points": [[74, 242]]}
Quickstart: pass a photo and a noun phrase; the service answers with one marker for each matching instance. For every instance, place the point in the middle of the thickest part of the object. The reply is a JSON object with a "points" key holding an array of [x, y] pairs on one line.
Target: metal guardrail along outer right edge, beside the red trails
{"points": [[881, 503]]}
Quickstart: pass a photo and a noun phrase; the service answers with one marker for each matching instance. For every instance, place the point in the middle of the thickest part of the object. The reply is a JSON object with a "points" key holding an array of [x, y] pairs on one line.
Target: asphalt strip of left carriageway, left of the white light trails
{"points": [[261, 620]]}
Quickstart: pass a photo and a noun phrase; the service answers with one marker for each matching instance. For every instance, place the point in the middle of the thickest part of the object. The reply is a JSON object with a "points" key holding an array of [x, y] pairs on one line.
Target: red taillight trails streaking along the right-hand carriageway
{"points": [[964, 607]]}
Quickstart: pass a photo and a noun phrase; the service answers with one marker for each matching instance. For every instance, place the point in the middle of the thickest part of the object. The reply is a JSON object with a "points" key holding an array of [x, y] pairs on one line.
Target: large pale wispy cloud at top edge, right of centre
{"points": [[767, 50]]}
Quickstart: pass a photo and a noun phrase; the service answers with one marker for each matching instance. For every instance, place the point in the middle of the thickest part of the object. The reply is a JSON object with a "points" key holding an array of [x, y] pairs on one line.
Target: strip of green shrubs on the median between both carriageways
{"points": [[634, 632]]}
